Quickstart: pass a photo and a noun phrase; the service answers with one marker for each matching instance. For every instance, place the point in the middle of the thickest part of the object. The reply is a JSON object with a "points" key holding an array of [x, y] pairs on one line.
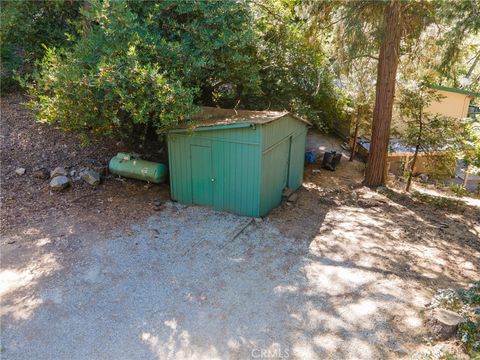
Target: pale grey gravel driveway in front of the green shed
{"points": [[192, 283]]}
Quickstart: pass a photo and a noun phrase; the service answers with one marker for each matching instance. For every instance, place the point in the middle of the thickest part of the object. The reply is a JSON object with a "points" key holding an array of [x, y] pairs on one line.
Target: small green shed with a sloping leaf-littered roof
{"points": [[236, 160]]}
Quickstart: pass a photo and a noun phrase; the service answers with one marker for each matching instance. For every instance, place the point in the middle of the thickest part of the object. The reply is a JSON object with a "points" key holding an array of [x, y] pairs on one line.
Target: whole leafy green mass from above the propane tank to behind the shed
{"points": [[126, 74]]}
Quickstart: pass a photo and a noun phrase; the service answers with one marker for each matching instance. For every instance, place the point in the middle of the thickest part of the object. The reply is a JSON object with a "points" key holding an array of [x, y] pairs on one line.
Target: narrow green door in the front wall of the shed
{"points": [[202, 175]]}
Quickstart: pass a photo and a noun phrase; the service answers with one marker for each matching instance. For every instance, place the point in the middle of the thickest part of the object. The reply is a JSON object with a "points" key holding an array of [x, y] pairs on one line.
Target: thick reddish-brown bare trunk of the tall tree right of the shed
{"points": [[385, 92]]}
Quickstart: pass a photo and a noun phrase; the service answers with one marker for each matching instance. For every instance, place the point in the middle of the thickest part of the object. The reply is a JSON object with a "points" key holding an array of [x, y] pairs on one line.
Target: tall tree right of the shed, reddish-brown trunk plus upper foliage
{"points": [[390, 29]]}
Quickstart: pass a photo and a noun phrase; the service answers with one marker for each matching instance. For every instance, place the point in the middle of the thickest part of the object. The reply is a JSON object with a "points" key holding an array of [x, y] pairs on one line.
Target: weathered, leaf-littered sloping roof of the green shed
{"points": [[212, 116]]}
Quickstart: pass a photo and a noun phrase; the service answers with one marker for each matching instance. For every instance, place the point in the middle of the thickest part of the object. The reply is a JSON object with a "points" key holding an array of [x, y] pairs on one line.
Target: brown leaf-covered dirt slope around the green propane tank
{"points": [[28, 201]]}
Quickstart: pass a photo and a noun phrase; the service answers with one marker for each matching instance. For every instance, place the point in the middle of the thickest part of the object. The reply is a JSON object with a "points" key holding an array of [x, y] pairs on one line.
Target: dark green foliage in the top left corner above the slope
{"points": [[27, 25]]}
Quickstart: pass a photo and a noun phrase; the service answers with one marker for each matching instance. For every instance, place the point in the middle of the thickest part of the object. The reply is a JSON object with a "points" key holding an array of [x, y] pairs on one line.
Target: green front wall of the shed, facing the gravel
{"points": [[235, 164]]}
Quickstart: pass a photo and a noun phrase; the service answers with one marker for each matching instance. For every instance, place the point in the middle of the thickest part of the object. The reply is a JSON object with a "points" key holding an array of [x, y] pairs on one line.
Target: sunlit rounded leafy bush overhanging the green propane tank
{"points": [[110, 81]]}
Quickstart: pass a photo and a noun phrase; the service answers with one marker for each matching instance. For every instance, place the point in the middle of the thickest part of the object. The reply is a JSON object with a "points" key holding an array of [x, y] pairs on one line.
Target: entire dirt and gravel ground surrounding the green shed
{"points": [[342, 273]]}
